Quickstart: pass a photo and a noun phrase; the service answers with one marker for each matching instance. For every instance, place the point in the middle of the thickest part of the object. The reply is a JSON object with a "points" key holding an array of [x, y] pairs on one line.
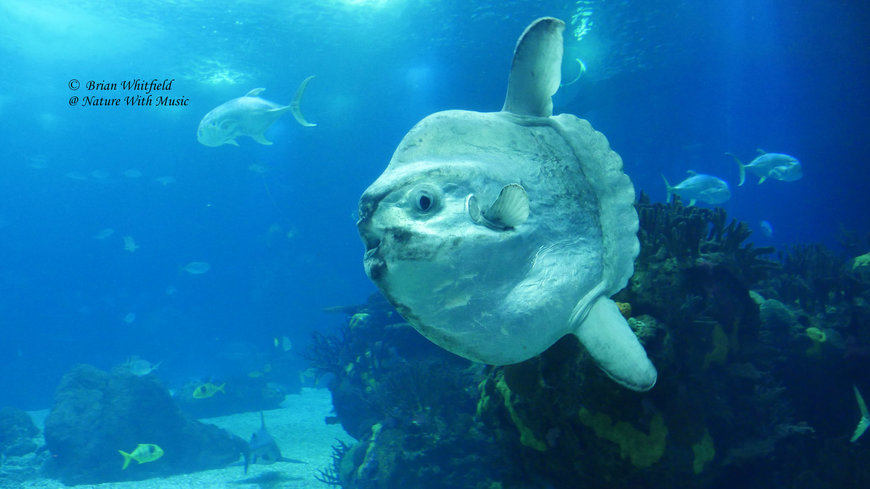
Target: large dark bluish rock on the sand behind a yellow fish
{"points": [[97, 413]]}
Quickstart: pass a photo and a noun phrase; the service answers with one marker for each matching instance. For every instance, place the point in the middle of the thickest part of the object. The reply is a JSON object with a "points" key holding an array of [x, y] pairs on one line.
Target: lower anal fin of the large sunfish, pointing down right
{"points": [[610, 341]]}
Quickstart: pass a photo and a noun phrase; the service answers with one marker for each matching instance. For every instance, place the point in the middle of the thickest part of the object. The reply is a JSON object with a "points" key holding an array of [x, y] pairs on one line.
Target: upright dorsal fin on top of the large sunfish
{"points": [[536, 71]]}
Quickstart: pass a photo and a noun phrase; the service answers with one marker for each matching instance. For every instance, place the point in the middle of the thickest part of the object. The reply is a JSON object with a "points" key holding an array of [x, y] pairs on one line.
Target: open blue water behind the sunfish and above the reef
{"points": [[673, 85]]}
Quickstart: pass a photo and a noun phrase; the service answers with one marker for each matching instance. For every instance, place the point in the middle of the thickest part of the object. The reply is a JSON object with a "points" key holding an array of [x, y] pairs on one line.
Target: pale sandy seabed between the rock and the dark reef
{"points": [[299, 428]]}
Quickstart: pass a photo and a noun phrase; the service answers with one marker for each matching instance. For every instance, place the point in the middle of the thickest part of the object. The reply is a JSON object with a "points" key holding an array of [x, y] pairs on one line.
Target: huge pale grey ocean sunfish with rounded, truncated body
{"points": [[495, 234]]}
